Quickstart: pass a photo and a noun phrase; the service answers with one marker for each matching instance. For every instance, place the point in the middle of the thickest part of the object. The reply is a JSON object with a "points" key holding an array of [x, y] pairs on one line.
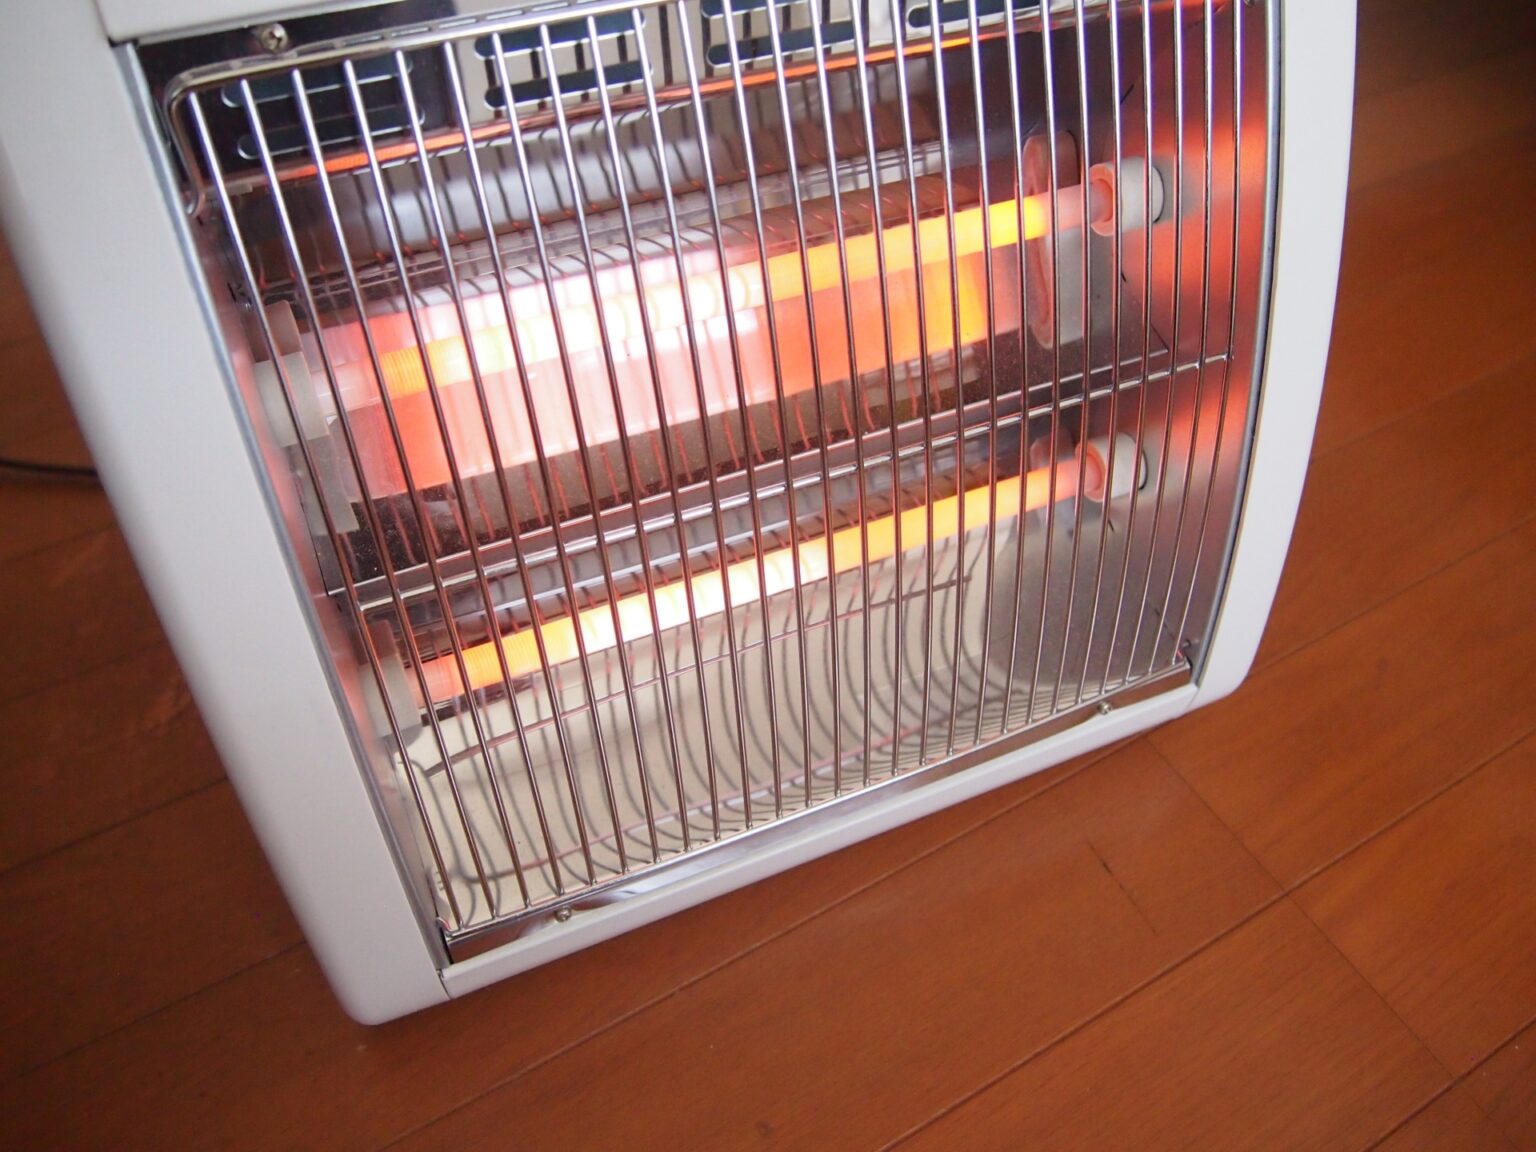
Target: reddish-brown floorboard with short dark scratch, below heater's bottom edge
{"points": [[933, 982]]}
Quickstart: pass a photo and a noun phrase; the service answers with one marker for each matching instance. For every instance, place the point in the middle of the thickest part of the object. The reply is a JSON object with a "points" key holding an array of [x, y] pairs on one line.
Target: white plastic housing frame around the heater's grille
{"points": [[96, 222]]}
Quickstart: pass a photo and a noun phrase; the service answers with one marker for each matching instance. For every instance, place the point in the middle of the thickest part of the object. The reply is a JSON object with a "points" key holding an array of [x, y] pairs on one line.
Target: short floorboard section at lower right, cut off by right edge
{"points": [[1440, 912]]}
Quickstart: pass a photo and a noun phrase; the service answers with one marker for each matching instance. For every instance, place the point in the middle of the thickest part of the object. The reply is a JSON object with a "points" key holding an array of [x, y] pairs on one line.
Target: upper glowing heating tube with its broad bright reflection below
{"points": [[620, 319]]}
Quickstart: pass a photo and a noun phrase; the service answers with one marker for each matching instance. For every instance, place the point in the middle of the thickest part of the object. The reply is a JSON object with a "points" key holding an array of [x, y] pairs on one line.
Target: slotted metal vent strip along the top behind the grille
{"points": [[658, 42]]}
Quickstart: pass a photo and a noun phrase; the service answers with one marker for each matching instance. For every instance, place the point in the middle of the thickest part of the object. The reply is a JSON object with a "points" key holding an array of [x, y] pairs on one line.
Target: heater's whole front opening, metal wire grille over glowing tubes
{"points": [[706, 412]]}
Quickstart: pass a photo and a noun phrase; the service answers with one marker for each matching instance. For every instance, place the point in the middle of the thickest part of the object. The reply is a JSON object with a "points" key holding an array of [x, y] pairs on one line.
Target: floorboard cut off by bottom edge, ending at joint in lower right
{"points": [[1268, 1041]]}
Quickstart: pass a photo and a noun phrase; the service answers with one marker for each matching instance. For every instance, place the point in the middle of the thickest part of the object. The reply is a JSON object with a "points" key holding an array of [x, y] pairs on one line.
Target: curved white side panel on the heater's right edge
{"points": [[1317, 98]]}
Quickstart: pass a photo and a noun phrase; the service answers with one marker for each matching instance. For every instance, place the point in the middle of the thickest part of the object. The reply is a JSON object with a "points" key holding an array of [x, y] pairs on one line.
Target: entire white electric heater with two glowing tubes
{"points": [[591, 457]]}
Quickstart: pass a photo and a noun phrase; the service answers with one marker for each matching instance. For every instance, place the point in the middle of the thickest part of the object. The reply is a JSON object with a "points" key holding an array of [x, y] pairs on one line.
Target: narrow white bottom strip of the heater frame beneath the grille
{"points": [[588, 929]]}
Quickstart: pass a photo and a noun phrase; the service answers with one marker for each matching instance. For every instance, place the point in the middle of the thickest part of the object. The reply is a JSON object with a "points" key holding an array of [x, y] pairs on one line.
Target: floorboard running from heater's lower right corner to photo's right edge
{"points": [[1322, 750]]}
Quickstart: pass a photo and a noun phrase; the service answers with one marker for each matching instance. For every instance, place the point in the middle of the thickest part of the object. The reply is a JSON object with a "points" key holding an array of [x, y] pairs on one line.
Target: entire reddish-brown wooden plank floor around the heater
{"points": [[1302, 919]]}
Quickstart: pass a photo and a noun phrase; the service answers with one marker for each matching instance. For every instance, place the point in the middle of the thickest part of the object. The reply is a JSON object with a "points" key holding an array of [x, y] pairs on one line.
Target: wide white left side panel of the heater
{"points": [[96, 242]]}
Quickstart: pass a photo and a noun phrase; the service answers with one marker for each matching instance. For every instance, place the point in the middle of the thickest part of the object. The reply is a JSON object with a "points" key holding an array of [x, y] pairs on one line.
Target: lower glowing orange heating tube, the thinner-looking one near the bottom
{"points": [[631, 618]]}
